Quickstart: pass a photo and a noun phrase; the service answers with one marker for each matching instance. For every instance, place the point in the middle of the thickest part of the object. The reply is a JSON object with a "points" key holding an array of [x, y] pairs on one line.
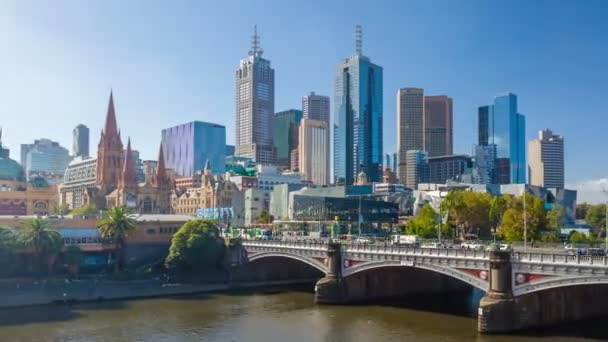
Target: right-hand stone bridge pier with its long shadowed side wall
{"points": [[502, 312]]}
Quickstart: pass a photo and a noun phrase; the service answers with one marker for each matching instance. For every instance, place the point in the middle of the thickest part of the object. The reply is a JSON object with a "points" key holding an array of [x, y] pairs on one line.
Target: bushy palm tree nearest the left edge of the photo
{"points": [[39, 237]]}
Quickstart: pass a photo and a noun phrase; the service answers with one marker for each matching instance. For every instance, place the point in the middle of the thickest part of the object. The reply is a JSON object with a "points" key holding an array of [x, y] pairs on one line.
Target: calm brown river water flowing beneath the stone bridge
{"points": [[272, 315]]}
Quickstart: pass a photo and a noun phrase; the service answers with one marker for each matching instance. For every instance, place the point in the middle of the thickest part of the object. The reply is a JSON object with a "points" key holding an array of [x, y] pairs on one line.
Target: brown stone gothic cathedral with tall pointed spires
{"points": [[115, 181]]}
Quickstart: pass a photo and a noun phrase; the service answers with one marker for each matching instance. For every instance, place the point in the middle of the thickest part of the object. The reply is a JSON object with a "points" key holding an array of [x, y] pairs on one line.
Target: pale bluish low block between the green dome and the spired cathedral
{"points": [[45, 158]]}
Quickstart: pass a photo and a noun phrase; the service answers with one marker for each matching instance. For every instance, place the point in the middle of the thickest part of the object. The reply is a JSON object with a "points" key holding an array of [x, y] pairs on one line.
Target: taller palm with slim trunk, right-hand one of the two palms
{"points": [[116, 226]]}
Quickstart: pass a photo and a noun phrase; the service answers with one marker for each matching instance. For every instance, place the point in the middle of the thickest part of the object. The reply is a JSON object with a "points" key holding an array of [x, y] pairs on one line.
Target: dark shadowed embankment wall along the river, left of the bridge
{"points": [[32, 294]]}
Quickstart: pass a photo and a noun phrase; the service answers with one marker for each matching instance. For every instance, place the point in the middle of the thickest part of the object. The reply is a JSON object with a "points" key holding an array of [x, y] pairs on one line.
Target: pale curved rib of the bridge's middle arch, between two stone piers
{"points": [[447, 271]]}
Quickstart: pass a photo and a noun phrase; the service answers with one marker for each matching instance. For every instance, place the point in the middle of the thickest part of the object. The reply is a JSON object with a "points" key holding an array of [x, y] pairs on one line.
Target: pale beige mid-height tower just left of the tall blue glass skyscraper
{"points": [[314, 151]]}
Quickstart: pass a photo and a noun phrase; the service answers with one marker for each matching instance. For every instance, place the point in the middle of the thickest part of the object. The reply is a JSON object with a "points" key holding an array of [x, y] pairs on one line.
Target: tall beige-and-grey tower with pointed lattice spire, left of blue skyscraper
{"points": [[255, 105]]}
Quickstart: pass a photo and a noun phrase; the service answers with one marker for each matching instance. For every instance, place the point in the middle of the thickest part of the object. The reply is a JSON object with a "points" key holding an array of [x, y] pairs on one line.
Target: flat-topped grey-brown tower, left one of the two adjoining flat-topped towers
{"points": [[410, 126]]}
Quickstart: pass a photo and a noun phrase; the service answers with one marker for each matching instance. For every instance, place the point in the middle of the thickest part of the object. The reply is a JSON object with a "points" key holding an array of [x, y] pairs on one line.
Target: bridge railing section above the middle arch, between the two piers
{"points": [[438, 252]]}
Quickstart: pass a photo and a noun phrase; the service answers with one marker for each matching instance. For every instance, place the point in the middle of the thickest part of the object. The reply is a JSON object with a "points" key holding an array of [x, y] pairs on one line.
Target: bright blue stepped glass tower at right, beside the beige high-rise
{"points": [[501, 125]]}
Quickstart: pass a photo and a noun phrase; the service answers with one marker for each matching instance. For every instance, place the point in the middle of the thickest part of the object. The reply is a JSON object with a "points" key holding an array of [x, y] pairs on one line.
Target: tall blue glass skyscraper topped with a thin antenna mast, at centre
{"points": [[358, 123]]}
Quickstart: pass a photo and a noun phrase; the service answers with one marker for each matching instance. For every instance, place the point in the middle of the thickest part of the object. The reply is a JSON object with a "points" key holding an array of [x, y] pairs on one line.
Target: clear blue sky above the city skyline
{"points": [[170, 62]]}
